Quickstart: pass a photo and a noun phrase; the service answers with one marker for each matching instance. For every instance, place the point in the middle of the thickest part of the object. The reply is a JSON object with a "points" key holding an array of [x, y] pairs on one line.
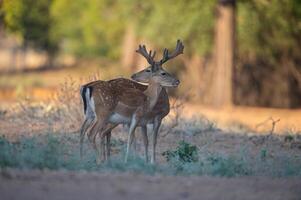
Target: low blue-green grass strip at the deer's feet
{"points": [[61, 151]]}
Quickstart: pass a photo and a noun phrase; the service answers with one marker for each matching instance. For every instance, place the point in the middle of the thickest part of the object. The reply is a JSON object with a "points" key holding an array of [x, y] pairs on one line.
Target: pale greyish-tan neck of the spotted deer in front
{"points": [[152, 92]]}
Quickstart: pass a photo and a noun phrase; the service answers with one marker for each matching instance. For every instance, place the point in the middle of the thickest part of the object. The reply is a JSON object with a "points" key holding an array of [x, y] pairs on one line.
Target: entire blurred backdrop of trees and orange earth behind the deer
{"points": [[239, 54]]}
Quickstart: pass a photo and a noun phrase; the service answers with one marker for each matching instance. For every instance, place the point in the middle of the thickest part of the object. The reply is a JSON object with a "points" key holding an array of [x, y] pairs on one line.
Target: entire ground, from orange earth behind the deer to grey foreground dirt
{"points": [[241, 156]]}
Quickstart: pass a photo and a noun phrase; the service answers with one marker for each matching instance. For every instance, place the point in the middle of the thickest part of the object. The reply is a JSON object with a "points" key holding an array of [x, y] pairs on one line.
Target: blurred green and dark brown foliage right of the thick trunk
{"points": [[269, 37]]}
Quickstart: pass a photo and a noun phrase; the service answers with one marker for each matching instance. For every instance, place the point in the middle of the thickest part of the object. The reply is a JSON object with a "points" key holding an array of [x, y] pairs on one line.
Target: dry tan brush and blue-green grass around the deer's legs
{"points": [[48, 142]]}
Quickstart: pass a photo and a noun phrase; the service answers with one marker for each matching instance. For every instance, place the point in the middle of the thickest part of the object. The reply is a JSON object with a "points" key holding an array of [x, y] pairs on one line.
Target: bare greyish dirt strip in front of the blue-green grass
{"points": [[69, 185]]}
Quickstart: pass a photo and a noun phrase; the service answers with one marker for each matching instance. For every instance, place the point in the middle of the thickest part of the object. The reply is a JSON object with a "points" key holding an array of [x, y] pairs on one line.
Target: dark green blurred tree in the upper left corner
{"points": [[31, 21]]}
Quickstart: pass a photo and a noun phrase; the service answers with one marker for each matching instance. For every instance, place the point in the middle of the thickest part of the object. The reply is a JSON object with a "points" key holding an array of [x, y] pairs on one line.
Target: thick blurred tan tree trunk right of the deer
{"points": [[224, 53]]}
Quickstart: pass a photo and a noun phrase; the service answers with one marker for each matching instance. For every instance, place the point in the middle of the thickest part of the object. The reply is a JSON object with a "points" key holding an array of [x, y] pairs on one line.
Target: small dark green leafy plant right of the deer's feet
{"points": [[184, 153]]}
